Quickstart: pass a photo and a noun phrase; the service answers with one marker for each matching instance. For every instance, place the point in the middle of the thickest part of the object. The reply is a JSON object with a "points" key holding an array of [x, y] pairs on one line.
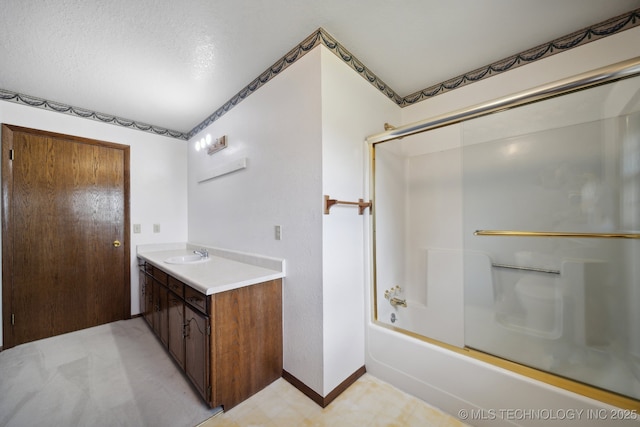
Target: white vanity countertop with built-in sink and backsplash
{"points": [[225, 270]]}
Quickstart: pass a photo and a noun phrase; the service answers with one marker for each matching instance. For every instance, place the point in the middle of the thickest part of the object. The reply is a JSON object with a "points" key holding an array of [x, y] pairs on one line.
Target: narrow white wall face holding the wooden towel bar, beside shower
{"points": [[351, 110]]}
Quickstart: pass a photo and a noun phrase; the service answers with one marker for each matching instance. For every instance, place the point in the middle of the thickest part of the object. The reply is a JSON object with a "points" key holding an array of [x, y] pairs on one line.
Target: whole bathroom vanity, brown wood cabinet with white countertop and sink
{"points": [[219, 317]]}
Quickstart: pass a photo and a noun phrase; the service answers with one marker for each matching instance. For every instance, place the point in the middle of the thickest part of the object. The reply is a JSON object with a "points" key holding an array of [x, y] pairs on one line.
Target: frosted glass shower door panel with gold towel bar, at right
{"points": [[551, 199]]}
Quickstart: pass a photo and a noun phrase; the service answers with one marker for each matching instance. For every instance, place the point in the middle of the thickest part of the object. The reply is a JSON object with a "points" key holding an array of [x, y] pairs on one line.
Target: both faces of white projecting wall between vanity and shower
{"points": [[303, 136]]}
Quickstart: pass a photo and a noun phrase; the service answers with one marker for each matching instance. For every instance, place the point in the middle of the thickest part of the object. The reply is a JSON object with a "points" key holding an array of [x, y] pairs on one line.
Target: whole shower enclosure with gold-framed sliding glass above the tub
{"points": [[517, 234]]}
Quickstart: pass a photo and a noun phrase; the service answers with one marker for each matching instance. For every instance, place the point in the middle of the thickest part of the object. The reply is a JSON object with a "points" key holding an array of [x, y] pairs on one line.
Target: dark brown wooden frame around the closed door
{"points": [[7, 220]]}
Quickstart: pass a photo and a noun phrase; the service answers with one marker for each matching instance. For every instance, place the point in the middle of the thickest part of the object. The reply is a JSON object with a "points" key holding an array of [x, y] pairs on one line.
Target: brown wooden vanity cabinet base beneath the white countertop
{"points": [[228, 344]]}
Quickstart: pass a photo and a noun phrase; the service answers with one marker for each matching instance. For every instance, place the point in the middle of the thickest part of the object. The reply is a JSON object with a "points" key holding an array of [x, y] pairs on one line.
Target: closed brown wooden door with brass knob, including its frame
{"points": [[65, 254]]}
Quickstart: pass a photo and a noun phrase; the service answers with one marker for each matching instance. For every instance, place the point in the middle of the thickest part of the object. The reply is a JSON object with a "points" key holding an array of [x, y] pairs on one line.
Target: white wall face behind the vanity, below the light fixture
{"points": [[278, 130]]}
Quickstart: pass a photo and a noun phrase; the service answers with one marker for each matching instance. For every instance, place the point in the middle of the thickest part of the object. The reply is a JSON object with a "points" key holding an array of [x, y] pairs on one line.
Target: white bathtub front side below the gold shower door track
{"points": [[478, 393]]}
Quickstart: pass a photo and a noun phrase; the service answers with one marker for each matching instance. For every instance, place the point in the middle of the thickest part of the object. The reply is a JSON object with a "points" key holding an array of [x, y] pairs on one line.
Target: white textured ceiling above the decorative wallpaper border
{"points": [[171, 63]]}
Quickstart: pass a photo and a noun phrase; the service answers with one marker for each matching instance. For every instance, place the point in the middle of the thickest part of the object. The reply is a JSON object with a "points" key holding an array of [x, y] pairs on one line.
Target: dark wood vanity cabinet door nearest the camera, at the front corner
{"points": [[197, 350]]}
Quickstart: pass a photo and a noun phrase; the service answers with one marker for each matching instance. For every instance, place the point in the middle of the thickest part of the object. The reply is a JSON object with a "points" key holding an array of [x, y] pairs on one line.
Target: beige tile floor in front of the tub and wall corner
{"points": [[369, 402]]}
